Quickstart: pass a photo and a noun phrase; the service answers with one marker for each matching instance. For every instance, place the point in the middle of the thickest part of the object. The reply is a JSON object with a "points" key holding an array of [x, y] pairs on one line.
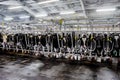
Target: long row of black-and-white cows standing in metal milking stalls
{"points": [[94, 44]]}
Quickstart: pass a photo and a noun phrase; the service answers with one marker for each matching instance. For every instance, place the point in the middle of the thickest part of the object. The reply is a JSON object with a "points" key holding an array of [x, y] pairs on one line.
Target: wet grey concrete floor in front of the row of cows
{"points": [[28, 69]]}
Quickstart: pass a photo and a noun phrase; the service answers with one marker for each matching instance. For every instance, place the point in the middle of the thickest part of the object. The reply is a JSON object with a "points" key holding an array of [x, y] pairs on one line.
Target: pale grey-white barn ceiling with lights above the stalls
{"points": [[44, 12]]}
